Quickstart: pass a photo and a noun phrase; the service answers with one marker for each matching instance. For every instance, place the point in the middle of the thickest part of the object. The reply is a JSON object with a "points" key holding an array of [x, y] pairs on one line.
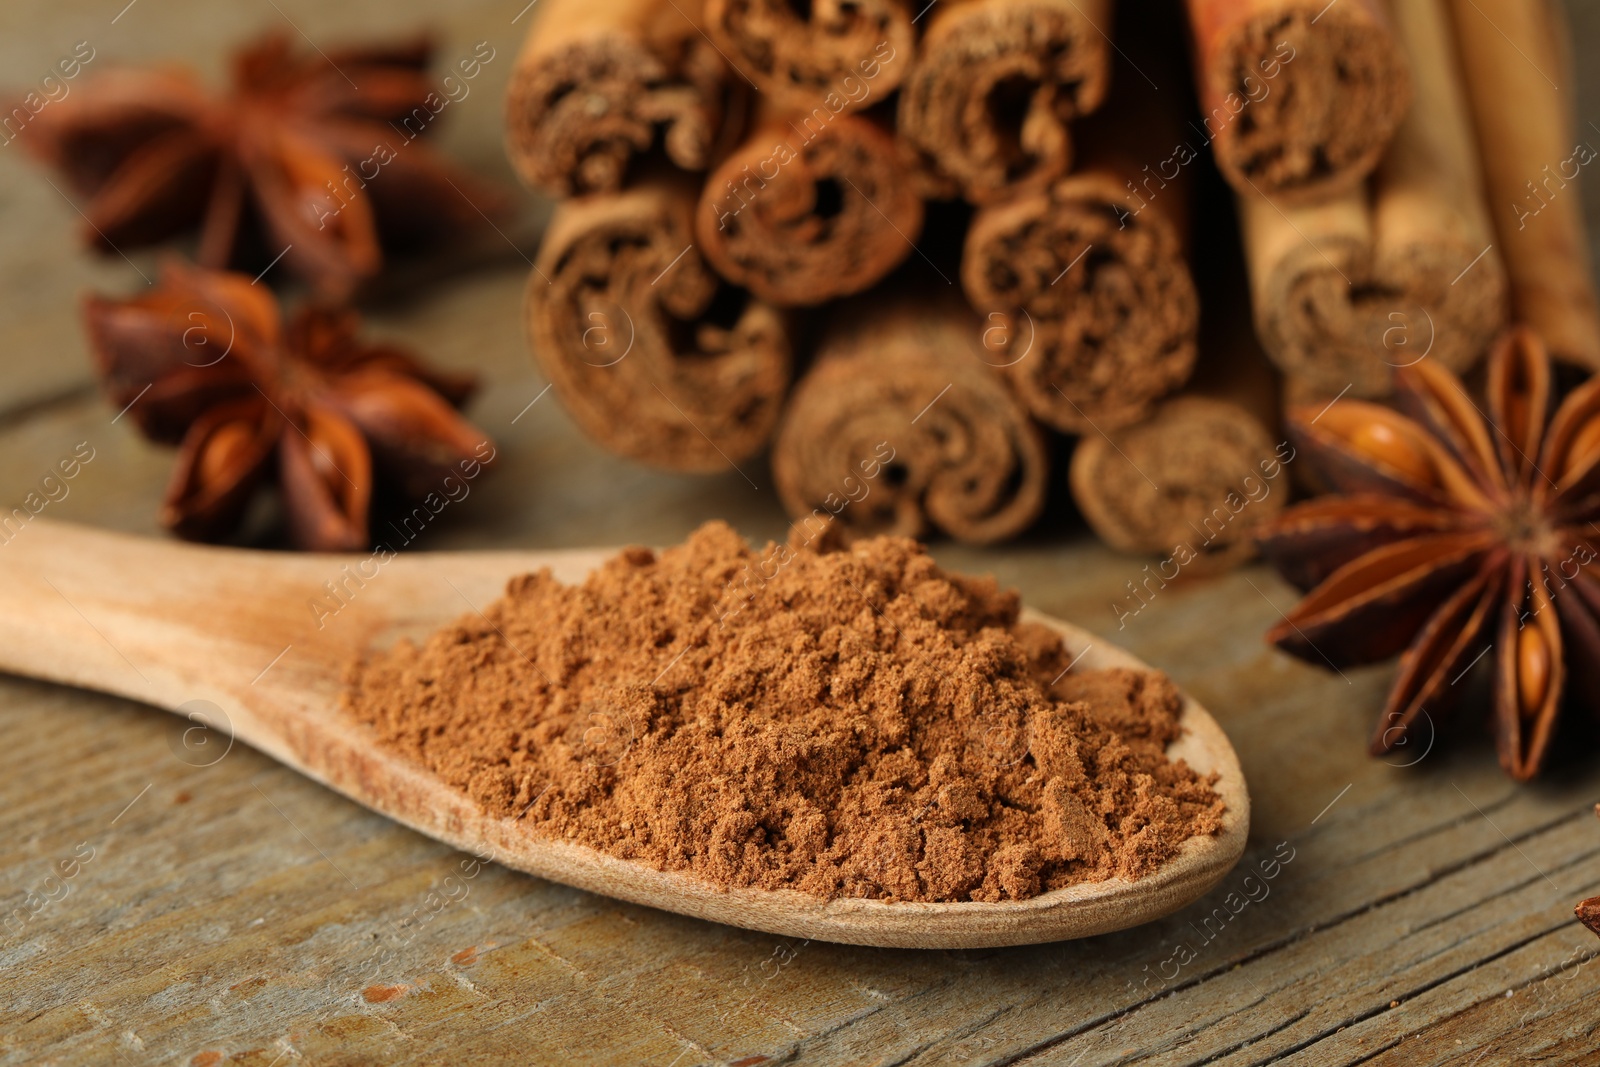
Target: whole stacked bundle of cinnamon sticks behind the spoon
{"points": [[919, 241]]}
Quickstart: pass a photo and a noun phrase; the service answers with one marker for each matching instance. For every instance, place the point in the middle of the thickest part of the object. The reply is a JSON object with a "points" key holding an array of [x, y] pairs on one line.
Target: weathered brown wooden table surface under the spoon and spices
{"points": [[223, 909]]}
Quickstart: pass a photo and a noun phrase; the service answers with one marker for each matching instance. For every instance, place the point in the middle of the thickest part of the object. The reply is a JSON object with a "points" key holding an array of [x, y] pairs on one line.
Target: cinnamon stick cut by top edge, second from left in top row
{"points": [[799, 55]]}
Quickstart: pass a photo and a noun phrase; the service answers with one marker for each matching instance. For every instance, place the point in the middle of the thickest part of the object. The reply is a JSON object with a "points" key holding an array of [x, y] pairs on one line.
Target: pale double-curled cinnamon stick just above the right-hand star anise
{"points": [[1350, 290]]}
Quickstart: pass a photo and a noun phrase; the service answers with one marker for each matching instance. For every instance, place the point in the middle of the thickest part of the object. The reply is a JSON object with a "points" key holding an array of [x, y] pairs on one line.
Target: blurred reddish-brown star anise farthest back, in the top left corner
{"points": [[310, 158]]}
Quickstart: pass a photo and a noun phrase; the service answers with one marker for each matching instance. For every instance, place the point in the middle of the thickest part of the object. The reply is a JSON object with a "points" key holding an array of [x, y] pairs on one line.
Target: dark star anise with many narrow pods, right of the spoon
{"points": [[1455, 532]]}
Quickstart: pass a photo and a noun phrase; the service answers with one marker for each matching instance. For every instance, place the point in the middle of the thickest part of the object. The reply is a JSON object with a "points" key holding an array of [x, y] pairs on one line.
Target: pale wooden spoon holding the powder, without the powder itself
{"points": [[175, 625]]}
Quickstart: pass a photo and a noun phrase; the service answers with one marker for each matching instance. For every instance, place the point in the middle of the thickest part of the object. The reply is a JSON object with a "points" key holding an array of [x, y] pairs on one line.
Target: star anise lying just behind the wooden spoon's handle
{"points": [[207, 361]]}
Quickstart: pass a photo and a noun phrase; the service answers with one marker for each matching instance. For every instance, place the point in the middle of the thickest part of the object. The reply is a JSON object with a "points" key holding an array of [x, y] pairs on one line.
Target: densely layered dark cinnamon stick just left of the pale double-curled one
{"points": [[1086, 284]]}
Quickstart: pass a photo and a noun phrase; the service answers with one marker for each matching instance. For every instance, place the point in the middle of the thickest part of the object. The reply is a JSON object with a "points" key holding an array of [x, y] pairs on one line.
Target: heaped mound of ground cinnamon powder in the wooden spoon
{"points": [[844, 722]]}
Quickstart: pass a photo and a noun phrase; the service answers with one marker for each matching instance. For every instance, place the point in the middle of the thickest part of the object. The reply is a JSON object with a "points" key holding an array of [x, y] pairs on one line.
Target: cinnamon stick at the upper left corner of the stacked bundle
{"points": [[598, 81]]}
